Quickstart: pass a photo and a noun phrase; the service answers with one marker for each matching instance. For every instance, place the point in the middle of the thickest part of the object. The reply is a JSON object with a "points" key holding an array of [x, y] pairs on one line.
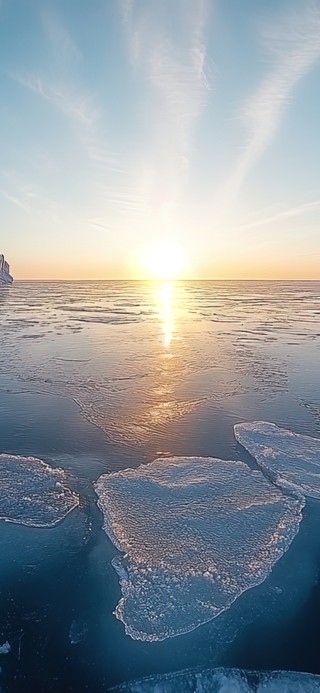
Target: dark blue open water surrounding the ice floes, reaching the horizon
{"points": [[100, 377]]}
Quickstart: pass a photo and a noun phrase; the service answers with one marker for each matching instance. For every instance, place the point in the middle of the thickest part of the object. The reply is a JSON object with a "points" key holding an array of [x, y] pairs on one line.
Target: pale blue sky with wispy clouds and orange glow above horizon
{"points": [[129, 126]]}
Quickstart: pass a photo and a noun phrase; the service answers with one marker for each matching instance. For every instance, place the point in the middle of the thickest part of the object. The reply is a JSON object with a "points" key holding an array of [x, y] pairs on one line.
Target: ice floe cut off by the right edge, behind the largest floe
{"points": [[292, 460]]}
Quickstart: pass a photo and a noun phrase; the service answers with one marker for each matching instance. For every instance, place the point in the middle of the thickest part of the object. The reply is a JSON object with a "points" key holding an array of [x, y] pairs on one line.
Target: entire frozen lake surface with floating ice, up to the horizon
{"points": [[99, 378]]}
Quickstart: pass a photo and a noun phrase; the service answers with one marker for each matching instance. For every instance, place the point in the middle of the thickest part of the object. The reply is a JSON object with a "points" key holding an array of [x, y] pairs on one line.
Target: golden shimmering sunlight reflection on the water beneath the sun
{"points": [[158, 395]]}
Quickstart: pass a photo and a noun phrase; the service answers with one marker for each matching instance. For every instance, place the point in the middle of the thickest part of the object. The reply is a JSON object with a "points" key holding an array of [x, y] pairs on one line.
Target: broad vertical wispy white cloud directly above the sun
{"points": [[166, 44]]}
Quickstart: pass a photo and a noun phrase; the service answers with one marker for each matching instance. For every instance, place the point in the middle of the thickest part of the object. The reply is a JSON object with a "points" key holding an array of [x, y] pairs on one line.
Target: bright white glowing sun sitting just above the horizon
{"points": [[164, 260]]}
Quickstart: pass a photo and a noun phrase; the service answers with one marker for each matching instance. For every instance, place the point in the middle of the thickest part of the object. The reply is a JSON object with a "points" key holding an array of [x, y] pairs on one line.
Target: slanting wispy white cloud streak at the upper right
{"points": [[293, 43]]}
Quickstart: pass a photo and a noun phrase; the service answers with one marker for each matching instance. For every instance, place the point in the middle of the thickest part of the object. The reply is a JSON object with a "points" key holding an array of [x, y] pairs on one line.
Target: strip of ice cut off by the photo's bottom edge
{"points": [[224, 681]]}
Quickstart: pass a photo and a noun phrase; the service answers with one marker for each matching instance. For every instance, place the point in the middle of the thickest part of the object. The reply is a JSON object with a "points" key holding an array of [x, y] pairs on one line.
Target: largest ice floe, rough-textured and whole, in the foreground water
{"points": [[195, 533]]}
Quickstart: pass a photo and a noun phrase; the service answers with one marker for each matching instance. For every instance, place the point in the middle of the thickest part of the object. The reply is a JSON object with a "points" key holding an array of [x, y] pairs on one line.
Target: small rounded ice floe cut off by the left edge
{"points": [[33, 493]]}
